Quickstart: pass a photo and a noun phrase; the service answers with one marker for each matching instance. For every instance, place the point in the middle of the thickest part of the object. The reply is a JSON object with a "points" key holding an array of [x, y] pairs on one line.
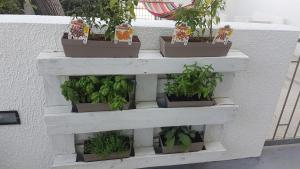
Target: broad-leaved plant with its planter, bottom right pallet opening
{"points": [[180, 139]]}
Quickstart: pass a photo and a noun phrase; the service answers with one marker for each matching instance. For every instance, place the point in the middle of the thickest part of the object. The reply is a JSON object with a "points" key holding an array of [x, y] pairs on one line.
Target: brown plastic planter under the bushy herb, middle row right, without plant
{"points": [[175, 104]]}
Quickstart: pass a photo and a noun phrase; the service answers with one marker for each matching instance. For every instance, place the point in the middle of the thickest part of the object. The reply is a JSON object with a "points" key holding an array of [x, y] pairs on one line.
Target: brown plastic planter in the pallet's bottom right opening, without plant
{"points": [[178, 149]]}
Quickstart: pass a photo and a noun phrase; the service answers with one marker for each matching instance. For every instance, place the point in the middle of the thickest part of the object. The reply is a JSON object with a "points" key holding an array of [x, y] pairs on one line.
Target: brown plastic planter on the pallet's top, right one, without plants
{"points": [[193, 49]]}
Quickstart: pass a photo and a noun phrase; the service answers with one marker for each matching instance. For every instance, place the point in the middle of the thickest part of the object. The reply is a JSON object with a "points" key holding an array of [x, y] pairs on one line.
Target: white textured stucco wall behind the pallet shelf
{"points": [[255, 90]]}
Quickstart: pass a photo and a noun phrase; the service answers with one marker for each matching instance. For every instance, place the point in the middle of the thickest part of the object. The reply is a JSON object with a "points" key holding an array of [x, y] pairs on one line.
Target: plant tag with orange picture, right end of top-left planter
{"points": [[123, 33]]}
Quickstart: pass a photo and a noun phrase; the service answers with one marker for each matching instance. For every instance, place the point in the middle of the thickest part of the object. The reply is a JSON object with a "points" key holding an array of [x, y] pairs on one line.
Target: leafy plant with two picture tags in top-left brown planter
{"points": [[116, 42]]}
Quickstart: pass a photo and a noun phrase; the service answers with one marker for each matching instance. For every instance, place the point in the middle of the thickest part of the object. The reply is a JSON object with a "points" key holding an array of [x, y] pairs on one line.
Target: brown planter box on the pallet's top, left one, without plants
{"points": [[100, 49]]}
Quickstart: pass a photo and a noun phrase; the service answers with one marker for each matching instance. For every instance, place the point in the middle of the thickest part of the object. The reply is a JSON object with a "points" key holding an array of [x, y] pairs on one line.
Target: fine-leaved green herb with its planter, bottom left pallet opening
{"points": [[107, 146]]}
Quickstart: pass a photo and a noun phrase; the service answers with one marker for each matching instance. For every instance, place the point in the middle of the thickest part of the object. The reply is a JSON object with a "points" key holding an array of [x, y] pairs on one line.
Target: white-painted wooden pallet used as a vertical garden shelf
{"points": [[62, 124]]}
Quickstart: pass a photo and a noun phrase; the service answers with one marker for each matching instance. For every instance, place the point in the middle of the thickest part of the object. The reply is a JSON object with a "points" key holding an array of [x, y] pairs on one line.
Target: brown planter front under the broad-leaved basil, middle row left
{"points": [[89, 107]]}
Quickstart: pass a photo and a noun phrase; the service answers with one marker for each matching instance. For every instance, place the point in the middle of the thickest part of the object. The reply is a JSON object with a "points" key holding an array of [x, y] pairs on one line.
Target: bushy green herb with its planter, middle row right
{"points": [[193, 88]]}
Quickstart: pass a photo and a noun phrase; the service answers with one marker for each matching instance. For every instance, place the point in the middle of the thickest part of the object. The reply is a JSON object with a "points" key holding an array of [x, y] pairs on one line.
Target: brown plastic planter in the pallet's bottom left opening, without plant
{"points": [[94, 157]]}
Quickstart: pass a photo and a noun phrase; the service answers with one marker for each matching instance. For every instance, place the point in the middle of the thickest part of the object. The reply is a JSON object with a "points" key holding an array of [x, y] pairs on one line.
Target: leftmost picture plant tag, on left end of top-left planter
{"points": [[79, 30]]}
